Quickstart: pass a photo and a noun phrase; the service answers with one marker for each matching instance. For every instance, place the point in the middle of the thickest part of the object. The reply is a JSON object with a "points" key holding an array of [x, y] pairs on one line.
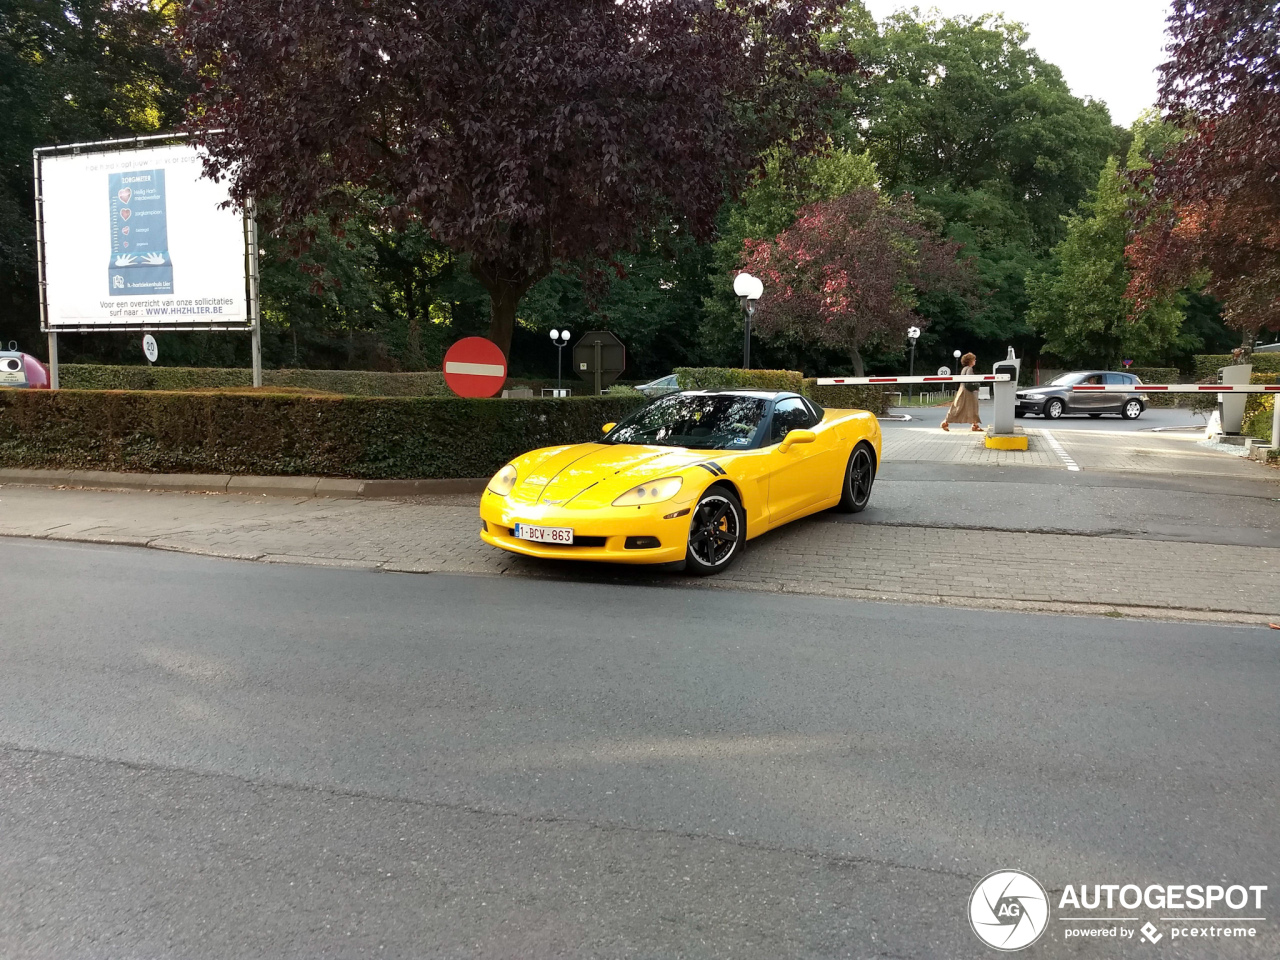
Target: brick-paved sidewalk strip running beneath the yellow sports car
{"points": [[819, 556]]}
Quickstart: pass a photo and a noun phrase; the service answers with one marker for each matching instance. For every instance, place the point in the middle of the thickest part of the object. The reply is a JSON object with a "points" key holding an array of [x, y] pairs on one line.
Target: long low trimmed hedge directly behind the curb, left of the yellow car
{"points": [[371, 438]]}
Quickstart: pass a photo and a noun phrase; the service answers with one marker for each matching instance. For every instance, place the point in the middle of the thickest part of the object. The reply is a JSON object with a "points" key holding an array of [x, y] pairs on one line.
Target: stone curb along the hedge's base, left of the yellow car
{"points": [[307, 487]]}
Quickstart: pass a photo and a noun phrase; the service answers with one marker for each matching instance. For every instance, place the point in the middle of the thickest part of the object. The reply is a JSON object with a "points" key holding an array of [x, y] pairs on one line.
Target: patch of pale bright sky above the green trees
{"points": [[1107, 49]]}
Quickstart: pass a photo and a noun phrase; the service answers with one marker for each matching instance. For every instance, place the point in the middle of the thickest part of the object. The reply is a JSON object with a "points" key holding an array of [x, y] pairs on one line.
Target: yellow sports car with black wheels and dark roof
{"points": [[684, 482]]}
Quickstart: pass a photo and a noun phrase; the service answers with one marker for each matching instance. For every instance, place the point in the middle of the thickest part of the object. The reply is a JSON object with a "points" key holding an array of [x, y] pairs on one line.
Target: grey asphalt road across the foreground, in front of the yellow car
{"points": [[212, 760]]}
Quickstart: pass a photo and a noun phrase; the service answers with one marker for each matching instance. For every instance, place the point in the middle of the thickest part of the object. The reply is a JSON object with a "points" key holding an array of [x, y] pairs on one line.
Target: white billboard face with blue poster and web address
{"points": [[136, 239]]}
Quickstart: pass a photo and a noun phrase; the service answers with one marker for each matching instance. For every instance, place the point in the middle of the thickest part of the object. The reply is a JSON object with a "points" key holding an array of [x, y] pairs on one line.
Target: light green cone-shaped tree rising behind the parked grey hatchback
{"points": [[1080, 305]]}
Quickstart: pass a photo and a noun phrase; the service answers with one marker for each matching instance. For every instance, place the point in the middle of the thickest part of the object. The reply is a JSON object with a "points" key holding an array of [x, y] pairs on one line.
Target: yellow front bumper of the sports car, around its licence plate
{"points": [[606, 531]]}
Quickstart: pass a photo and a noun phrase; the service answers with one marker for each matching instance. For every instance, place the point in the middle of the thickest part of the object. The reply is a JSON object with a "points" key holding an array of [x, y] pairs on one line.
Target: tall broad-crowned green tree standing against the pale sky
{"points": [[963, 115]]}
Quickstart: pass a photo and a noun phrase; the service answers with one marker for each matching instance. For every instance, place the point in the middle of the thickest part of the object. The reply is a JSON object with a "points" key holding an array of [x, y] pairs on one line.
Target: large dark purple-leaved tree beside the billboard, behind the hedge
{"points": [[523, 132]]}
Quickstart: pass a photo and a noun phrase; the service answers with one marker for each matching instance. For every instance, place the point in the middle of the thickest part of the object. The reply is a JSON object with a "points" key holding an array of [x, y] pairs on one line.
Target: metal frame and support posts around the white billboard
{"points": [[253, 324]]}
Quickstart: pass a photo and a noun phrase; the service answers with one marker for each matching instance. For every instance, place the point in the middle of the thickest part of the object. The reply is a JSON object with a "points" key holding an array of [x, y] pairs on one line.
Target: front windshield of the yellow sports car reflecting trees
{"points": [[700, 422]]}
